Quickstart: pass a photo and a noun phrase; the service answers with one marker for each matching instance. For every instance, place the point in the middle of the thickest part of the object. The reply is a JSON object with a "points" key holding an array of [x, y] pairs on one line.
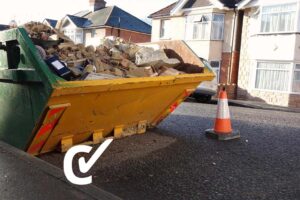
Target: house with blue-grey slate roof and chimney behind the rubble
{"points": [[90, 26]]}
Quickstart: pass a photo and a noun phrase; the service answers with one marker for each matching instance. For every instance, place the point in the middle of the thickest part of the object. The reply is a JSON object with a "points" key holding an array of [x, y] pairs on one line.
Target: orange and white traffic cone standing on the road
{"points": [[222, 129]]}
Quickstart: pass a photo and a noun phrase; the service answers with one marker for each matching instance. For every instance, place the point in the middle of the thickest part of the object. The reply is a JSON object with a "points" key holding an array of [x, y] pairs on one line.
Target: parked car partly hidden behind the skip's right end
{"points": [[206, 90]]}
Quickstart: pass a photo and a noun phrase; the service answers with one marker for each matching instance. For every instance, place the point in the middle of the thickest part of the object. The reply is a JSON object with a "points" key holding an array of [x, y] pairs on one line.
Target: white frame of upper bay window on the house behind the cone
{"points": [[189, 35]]}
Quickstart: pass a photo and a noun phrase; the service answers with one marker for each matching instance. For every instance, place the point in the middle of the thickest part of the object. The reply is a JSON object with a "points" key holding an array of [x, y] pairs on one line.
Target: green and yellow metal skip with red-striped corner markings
{"points": [[40, 112]]}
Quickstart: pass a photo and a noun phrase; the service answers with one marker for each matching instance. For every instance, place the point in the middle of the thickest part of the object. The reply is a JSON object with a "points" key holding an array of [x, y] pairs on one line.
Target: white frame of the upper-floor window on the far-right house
{"points": [[297, 21]]}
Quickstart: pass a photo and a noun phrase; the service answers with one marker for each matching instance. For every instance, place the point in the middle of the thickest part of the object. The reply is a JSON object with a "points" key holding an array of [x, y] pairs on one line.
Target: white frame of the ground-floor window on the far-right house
{"points": [[291, 70]]}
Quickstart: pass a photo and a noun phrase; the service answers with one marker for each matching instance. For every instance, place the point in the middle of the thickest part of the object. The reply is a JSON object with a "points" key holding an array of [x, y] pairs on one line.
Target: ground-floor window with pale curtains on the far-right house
{"points": [[272, 76]]}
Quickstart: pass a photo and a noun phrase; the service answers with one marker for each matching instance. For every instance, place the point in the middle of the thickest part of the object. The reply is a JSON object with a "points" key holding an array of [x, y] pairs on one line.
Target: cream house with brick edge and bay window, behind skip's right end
{"points": [[211, 28]]}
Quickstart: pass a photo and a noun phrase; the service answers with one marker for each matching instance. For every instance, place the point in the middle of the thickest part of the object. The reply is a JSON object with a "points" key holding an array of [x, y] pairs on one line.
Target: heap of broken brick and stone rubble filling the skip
{"points": [[114, 58]]}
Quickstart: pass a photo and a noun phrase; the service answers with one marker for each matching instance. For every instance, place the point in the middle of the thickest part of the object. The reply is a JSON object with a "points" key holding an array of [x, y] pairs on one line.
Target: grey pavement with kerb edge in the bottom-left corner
{"points": [[25, 177]]}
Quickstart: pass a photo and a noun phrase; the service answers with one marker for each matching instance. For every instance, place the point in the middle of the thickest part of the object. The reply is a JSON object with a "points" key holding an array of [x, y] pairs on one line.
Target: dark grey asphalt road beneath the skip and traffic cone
{"points": [[177, 161]]}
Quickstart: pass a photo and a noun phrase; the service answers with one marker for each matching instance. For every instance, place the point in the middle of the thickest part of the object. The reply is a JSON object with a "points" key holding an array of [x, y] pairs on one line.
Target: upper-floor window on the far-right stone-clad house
{"points": [[278, 18]]}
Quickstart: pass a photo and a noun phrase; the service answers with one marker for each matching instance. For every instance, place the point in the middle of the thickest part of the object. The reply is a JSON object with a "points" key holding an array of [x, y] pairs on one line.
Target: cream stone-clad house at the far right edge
{"points": [[269, 68]]}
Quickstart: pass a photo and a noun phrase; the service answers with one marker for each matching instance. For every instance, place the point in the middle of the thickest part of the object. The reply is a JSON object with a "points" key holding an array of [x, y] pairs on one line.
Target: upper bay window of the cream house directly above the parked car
{"points": [[205, 27]]}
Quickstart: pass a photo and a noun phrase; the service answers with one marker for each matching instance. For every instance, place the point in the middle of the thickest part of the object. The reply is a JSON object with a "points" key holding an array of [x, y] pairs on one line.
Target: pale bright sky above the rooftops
{"points": [[36, 10]]}
